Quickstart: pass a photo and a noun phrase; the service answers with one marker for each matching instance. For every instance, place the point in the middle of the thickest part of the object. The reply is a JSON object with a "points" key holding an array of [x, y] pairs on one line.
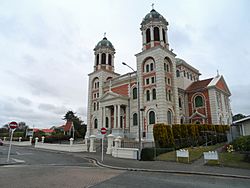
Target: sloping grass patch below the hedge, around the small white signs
{"points": [[194, 153]]}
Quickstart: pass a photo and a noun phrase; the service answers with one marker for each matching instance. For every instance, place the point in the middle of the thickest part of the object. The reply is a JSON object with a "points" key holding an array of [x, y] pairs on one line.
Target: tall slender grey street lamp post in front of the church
{"points": [[138, 116]]}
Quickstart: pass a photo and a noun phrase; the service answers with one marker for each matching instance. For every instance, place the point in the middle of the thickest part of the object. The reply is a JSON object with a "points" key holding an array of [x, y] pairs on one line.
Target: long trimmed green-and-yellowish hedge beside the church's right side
{"points": [[186, 135]]}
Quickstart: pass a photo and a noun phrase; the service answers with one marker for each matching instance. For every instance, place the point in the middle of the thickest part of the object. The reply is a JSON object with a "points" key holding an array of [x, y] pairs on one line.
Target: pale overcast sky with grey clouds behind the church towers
{"points": [[46, 49]]}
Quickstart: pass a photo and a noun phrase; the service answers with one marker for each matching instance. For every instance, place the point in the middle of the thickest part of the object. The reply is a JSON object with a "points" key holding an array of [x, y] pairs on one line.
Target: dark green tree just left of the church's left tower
{"points": [[79, 126]]}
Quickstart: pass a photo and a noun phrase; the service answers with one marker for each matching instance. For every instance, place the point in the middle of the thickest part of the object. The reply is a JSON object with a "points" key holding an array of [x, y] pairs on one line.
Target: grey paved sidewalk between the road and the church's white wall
{"points": [[167, 167]]}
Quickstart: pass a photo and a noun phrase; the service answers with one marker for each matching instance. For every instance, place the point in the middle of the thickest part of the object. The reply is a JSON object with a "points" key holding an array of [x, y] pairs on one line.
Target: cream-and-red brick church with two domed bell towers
{"points": [[163, 89]]}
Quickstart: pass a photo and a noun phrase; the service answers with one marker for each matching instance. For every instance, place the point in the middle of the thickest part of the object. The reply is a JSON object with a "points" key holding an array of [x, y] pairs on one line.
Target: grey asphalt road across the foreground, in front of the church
{"points": [[41, 168]]}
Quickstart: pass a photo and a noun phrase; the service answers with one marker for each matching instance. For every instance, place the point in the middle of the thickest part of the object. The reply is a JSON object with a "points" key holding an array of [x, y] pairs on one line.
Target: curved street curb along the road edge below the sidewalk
{"points": [[168, 171]]}
